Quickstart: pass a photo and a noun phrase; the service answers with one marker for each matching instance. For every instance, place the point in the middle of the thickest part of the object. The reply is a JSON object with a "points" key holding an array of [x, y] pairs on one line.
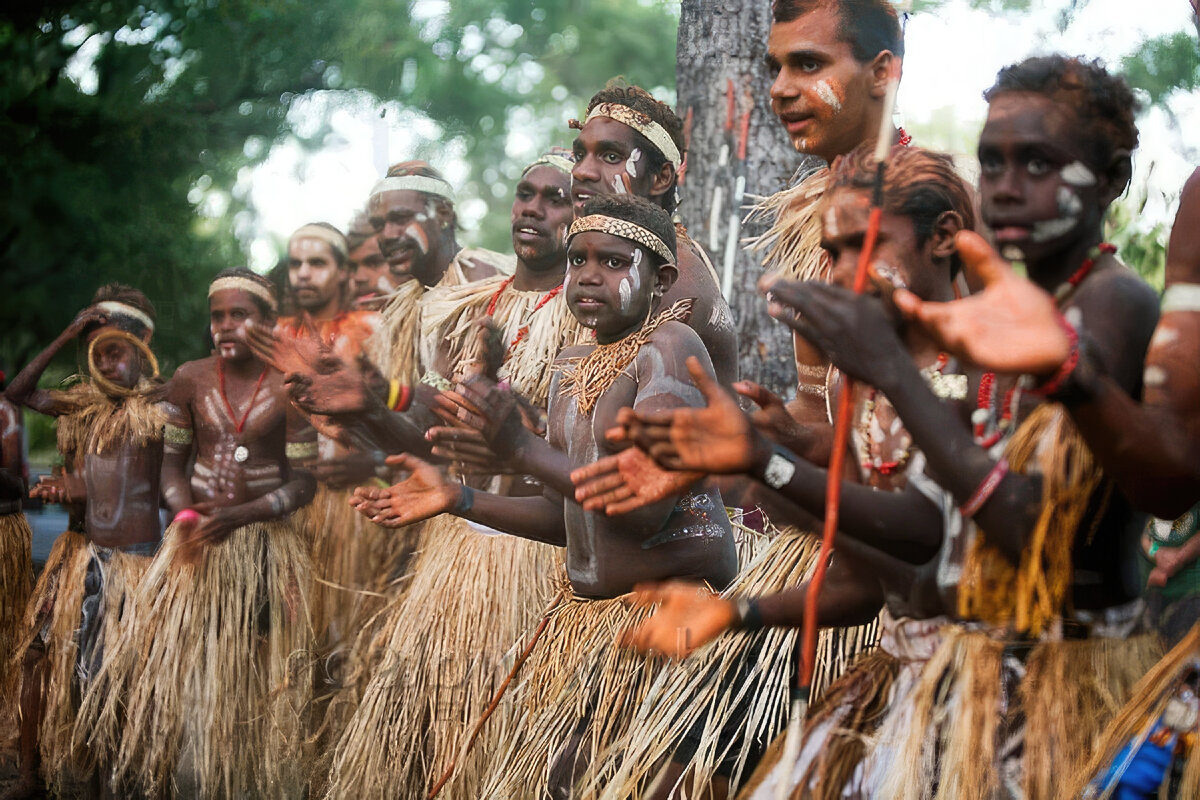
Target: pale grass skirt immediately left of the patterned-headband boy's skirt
{"points": [[446, 645]]}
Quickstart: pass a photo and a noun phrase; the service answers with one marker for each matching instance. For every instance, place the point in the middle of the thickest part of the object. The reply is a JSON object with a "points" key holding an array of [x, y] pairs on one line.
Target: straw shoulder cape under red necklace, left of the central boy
{"points": [[451, 317]]}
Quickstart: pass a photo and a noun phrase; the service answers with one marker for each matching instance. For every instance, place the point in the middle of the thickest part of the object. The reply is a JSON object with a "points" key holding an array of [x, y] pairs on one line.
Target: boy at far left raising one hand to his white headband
{"points": [[111, 432]]}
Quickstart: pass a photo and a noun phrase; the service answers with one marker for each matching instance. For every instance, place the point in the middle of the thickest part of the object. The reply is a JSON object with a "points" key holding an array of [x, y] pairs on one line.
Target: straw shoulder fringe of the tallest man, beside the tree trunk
{"points": [[791, 246]]}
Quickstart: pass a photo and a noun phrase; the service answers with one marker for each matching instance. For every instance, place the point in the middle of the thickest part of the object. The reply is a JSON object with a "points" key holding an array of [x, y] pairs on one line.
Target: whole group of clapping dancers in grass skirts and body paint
{"points": [[447, 522]]}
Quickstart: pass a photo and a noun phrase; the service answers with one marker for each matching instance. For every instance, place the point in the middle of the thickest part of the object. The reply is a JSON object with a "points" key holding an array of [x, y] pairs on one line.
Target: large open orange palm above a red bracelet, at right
{"points": [[1009, 327]]}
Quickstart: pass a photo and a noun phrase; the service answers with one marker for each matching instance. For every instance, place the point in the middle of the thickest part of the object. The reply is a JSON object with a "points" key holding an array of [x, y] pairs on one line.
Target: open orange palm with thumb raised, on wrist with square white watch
{"points": [[718, 438]]}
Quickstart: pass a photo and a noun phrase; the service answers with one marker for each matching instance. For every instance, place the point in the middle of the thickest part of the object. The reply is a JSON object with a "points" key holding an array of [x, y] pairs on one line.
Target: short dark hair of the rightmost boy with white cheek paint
{"points": [[1103, 104]]}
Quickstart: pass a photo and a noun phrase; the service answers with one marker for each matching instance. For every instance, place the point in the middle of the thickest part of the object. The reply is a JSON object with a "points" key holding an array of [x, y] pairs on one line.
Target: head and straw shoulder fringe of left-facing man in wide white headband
{"points": [[412, 212]]}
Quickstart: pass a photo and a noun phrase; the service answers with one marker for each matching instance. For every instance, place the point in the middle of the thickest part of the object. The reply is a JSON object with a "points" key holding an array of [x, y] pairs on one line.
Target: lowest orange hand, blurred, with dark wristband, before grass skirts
{"points": [[689, 616]]}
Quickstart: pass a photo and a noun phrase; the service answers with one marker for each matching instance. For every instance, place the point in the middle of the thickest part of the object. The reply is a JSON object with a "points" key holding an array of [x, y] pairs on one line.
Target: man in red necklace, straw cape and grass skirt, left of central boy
{"points": [[407, 730]]}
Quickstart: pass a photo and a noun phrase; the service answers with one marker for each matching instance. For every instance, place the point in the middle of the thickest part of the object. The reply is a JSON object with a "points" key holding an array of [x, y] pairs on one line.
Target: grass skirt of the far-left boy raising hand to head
{"points": [[53, 618]]}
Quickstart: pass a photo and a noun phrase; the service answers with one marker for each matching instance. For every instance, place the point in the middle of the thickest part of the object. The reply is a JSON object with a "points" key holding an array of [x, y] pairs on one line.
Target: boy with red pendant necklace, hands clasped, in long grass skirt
{"points": [[214, 675]]}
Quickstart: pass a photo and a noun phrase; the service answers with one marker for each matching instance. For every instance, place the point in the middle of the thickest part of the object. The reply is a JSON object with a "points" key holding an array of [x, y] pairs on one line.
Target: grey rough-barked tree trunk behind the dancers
{"points": [[737, 151]]}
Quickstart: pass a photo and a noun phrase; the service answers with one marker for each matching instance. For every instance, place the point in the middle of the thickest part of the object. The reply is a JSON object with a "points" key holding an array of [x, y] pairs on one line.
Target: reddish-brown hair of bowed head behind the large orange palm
{"points": [[919, 184]]}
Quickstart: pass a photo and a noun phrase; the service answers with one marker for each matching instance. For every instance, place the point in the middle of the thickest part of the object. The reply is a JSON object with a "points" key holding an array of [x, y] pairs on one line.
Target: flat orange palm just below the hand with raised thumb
{"points": [[628, 482]]}
